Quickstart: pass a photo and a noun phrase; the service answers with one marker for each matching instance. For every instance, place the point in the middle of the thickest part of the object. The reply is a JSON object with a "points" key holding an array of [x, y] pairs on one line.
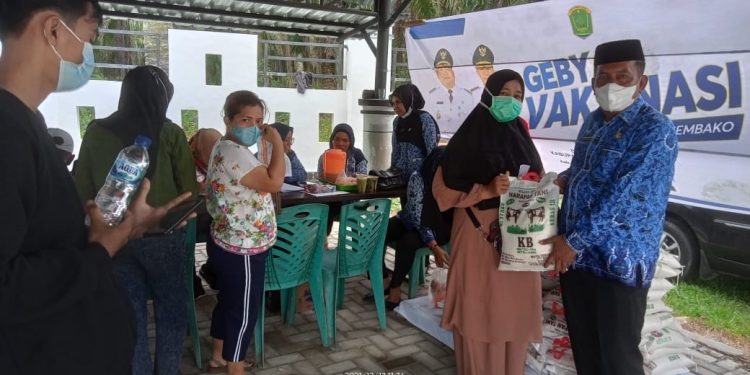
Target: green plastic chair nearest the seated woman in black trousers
{"points": [[362, 231]]}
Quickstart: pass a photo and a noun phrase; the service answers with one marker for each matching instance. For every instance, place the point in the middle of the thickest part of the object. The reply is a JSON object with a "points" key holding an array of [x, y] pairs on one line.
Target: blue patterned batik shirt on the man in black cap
{"points": [[618, 184]]}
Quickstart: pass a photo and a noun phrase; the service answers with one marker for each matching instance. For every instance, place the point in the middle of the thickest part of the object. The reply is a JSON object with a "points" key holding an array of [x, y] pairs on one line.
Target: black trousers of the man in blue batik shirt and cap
{"points": [[605, 319]]}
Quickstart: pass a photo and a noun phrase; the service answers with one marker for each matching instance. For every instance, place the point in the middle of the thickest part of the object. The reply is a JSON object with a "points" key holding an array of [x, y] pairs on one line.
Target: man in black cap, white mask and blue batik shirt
{"points": [[616, 192]]}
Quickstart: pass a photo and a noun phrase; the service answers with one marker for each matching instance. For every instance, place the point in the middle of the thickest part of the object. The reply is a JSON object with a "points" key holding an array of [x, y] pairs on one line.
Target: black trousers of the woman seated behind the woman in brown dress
{"points": [[407, 243]]}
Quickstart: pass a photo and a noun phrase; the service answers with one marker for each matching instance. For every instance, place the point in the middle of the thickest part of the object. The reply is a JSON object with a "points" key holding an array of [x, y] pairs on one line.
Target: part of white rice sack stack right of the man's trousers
{"points": [[664, 345]]}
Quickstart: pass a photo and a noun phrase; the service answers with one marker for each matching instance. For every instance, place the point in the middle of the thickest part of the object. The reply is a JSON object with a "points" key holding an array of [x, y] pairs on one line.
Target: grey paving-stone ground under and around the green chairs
{"points": [[361, 347]]}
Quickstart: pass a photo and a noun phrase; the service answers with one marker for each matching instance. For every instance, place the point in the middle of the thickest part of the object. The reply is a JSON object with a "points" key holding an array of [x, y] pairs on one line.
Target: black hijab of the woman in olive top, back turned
{"points": [[144, 97]]}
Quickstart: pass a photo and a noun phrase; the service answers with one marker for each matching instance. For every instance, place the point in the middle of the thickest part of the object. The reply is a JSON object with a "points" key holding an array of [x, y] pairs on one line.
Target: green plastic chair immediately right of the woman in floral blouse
{"points": [[295, 259]]}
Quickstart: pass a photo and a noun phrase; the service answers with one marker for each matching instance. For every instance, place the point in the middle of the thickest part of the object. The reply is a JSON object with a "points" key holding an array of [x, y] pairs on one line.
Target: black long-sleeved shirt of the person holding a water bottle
{"points": [[60, 310]]}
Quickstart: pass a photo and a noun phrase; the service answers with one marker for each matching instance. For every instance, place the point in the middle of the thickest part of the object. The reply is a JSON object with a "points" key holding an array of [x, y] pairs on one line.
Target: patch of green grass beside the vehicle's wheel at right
{"points": [[722, 303]]}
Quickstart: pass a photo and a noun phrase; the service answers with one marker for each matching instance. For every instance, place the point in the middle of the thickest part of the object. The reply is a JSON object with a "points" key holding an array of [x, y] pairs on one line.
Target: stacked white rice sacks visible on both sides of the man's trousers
{"points": [[663, 343]]}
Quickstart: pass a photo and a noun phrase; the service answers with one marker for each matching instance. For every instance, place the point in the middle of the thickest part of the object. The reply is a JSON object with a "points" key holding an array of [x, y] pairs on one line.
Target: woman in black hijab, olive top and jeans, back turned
{"points": [[155, 263]]}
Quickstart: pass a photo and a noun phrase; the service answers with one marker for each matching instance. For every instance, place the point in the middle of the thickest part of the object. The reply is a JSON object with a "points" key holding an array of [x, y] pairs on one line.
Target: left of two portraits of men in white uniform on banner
{"points": [[450, 103]]}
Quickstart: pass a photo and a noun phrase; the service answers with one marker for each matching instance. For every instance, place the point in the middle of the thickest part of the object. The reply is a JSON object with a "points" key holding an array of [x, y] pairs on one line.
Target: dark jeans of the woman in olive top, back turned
{"points": [[154, 267]]}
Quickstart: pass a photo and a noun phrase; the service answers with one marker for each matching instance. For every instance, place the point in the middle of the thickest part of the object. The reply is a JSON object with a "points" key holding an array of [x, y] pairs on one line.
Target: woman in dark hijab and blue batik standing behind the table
{"points": [[415, 132]]}
